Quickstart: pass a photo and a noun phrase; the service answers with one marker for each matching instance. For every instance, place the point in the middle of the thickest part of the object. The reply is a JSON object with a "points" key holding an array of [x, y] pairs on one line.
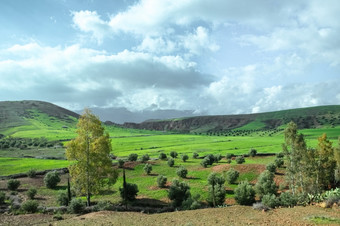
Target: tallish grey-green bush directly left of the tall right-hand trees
{"points": [[266, 184]]}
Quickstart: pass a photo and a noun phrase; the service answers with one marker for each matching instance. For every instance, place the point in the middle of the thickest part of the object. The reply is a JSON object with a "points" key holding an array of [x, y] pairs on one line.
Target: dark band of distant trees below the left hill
{"points": [[24, 143]]}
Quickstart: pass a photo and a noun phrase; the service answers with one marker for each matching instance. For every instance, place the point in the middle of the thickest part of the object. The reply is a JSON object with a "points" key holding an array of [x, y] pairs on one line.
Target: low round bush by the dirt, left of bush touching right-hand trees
{"points": [[244, 193]]}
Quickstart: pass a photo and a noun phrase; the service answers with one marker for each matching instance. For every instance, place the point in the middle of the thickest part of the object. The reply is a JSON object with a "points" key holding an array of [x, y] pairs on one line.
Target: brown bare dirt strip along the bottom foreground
{"points": [[233, 215]]}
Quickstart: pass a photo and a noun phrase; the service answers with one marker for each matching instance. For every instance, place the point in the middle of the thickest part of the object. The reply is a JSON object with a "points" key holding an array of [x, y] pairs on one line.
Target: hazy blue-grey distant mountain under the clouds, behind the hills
{"points": [[121, 115]]}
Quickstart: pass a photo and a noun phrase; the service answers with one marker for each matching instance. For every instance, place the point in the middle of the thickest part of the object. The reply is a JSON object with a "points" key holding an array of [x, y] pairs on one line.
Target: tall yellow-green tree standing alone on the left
{"points": [[90, 153]]}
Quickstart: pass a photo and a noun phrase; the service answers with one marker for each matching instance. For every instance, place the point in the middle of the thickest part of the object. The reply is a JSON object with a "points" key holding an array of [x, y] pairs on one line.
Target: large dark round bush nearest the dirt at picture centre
{"points": [[178, 192]]}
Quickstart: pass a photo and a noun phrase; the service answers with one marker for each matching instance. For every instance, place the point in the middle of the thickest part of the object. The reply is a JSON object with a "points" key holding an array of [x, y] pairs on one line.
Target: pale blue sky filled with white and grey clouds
{"points": [[210, 57]]}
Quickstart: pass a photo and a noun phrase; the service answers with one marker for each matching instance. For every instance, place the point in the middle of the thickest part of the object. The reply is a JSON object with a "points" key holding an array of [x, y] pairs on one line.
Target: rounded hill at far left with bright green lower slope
{"points": [[35, 118]]}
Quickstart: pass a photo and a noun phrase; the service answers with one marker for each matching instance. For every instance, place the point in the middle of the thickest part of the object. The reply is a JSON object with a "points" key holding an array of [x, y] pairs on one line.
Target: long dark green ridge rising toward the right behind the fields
{"points": [[313, 117]]}
